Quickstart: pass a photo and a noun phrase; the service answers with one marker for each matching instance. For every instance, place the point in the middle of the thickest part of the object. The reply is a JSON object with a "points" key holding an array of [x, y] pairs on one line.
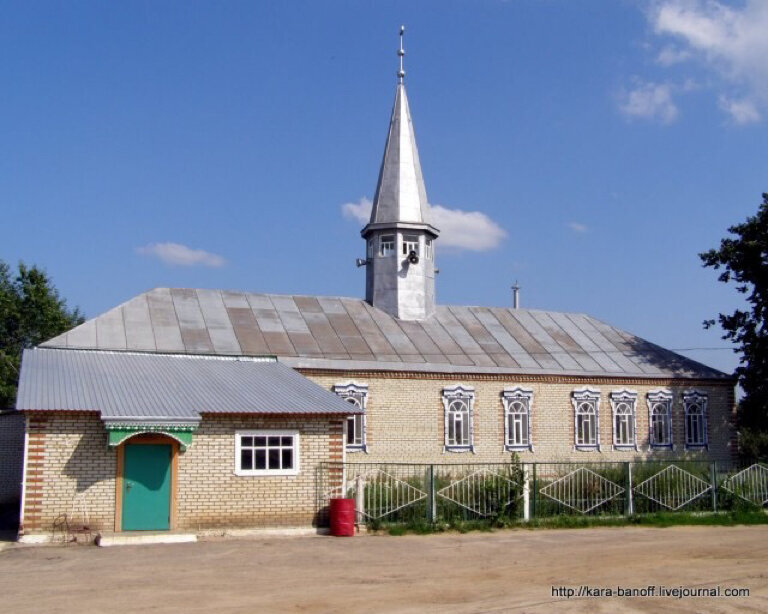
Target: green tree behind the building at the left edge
{"points": [[31, 311]]}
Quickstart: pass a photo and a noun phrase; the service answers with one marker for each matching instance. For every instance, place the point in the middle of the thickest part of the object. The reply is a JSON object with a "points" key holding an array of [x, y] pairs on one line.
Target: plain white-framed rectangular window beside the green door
{"points": [[266, 453]]}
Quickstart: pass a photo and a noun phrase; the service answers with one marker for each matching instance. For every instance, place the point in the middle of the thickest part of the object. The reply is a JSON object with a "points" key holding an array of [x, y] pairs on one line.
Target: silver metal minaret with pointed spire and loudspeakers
{"points": [[400, 271]]}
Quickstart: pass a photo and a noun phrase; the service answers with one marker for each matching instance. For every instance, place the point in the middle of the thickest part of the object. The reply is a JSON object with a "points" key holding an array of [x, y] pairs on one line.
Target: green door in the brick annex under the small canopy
{"points": [[147, 487]]}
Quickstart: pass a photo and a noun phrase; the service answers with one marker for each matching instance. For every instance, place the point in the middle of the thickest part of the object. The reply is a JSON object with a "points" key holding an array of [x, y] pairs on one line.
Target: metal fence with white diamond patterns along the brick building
{"points": [[406, 492]]}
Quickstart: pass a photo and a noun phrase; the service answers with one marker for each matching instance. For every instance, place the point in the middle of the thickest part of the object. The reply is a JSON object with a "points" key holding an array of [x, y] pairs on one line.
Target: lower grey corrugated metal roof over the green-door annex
{"points": [[139, 385]]}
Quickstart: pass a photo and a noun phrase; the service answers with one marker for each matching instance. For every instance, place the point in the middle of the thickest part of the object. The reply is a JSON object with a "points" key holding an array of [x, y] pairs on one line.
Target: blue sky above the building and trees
{"points": [[588, 149]]}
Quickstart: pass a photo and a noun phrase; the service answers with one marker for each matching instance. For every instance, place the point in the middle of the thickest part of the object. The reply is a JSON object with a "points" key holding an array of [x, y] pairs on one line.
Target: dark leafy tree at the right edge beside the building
{"points": [[743, 259]]}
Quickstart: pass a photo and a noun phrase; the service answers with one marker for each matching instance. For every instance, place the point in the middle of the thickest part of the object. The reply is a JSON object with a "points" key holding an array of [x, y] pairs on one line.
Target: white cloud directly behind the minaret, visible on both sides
{"points": [[459, 230]]}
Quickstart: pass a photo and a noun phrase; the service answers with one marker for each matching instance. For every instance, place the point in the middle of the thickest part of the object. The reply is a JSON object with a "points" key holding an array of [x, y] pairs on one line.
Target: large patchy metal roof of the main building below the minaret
{"points": [[349, 334]]}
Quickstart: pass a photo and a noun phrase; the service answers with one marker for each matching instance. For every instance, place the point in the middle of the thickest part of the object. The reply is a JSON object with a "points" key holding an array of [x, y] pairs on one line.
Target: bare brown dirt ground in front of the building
{"points": [[504, 571]]}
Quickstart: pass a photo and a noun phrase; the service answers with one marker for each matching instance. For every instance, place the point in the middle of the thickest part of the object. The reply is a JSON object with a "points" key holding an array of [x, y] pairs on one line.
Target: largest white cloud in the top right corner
{"points": [[729, 41]]}
